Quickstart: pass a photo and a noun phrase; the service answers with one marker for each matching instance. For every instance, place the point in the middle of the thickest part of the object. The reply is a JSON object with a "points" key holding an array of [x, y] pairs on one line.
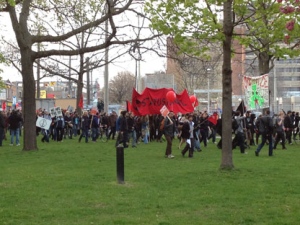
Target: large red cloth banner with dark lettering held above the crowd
{"points": [[152, 100]]}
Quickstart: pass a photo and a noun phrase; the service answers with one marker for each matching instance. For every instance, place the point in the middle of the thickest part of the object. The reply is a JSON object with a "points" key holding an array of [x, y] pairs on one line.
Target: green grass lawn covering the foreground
{"points": [[72, 183]]}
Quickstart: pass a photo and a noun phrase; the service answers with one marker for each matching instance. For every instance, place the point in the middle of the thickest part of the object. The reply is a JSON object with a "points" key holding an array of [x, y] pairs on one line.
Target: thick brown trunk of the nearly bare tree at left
{"points": [[28, 101]]}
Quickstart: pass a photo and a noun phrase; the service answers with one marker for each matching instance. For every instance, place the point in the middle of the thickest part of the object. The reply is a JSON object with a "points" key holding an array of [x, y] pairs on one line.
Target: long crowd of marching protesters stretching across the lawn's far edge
{"points": [[193, 130]]}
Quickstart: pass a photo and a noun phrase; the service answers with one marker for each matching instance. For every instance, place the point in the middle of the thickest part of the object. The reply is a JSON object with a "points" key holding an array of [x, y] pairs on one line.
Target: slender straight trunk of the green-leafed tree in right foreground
{"points": [[227, 162]]}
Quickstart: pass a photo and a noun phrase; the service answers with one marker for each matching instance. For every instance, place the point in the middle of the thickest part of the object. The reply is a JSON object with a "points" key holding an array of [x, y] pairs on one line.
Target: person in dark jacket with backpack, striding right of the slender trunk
{"points": [[265, 128]]}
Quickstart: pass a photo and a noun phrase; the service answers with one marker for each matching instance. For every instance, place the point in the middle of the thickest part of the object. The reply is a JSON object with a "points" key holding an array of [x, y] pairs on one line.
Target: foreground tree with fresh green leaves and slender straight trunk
{"points": [[190, 22]]}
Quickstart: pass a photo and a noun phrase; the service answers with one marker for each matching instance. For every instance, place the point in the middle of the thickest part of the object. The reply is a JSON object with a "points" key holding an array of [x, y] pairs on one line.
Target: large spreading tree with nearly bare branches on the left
{"points": [[46, 17]]}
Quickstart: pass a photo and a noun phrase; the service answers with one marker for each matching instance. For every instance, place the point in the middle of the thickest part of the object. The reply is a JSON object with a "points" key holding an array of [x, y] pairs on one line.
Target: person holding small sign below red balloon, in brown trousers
{"points": [[169, 129]]}
